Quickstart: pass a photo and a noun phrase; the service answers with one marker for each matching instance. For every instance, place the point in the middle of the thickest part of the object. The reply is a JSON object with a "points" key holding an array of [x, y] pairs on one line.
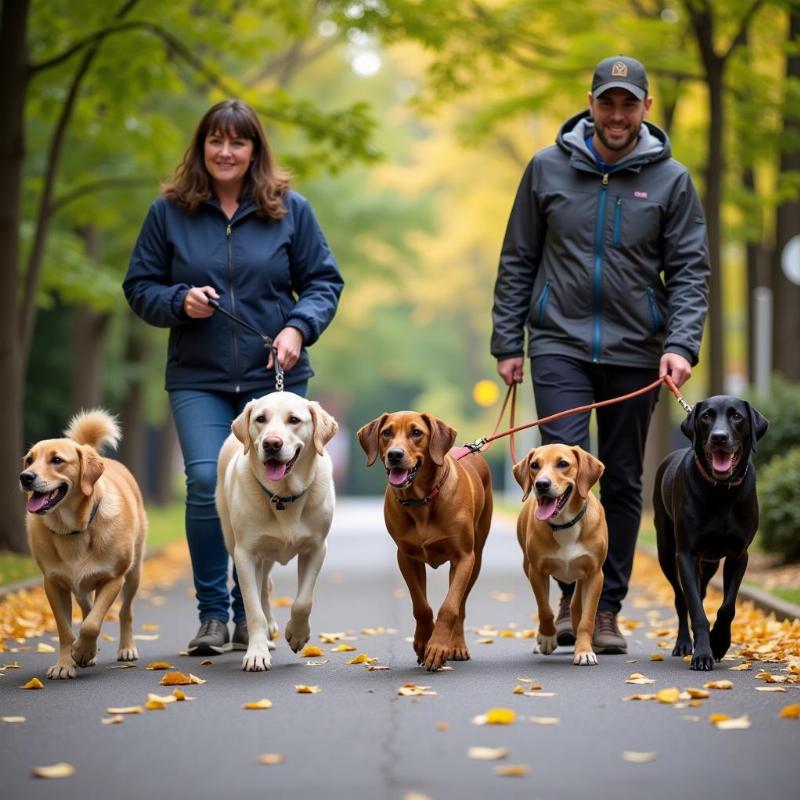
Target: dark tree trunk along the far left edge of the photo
{"points": [[13, 66]]}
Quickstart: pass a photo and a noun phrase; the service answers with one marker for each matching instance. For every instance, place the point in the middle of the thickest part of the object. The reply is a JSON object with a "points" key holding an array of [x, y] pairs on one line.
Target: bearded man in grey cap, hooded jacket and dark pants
{"points": [[605, 262]]}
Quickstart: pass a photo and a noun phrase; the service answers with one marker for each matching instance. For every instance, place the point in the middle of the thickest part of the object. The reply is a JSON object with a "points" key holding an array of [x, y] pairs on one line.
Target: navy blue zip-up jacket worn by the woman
{"points": [[270, 273]]}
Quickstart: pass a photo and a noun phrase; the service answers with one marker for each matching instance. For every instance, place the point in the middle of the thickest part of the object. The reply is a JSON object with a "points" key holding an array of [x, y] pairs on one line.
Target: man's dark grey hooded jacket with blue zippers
{"points": [[604, 267]]}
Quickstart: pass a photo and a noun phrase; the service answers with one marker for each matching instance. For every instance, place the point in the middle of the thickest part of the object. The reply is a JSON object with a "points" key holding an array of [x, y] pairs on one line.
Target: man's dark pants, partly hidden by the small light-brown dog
{"points": [[560, 383]]}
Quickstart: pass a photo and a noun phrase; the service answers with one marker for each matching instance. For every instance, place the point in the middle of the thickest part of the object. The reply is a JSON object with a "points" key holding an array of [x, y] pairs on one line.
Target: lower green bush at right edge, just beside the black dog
{"points": [[779, 504]]}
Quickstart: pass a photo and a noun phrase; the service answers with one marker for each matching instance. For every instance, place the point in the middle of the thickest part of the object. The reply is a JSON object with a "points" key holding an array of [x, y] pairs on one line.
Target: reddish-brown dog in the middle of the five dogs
{"points": [[437, 509]]}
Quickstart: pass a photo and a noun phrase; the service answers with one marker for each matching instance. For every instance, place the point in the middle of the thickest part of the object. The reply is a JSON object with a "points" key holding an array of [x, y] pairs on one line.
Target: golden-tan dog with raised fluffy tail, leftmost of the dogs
{"points": [[86, 530]]}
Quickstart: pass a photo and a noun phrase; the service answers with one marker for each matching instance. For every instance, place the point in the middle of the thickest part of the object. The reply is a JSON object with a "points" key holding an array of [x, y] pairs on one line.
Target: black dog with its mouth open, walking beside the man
{"points": [[706, 509]]}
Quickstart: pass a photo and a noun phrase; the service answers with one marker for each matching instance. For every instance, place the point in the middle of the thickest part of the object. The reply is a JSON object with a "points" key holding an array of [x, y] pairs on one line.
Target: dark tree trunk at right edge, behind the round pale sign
{"points": [[787, 294]]}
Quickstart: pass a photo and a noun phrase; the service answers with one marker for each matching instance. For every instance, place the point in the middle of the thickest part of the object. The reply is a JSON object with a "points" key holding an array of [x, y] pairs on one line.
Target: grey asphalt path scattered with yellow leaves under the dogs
{"points": [[358, 738]]}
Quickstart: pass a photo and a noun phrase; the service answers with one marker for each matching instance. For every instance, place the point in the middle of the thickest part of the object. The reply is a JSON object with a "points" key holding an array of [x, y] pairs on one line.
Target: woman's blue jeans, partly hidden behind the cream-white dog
{"points": [[203, 422]]}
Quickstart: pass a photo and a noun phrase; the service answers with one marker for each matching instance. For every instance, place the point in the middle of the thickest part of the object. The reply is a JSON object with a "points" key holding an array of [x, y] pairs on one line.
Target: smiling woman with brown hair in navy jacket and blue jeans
{"points": [[228, 227]]}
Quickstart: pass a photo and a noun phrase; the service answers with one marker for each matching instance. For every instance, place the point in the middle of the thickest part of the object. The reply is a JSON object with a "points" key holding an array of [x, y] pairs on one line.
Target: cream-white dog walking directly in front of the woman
{"points": [[275, 499]]}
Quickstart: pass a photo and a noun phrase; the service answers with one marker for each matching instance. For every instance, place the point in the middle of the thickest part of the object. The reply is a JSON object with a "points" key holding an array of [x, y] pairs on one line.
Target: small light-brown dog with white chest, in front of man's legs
{"points": [[562, 532]]}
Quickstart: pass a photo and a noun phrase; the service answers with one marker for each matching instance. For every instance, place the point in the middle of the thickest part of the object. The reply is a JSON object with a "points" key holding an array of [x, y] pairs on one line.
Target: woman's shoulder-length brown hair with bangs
{"points": [[265, 182]]}
